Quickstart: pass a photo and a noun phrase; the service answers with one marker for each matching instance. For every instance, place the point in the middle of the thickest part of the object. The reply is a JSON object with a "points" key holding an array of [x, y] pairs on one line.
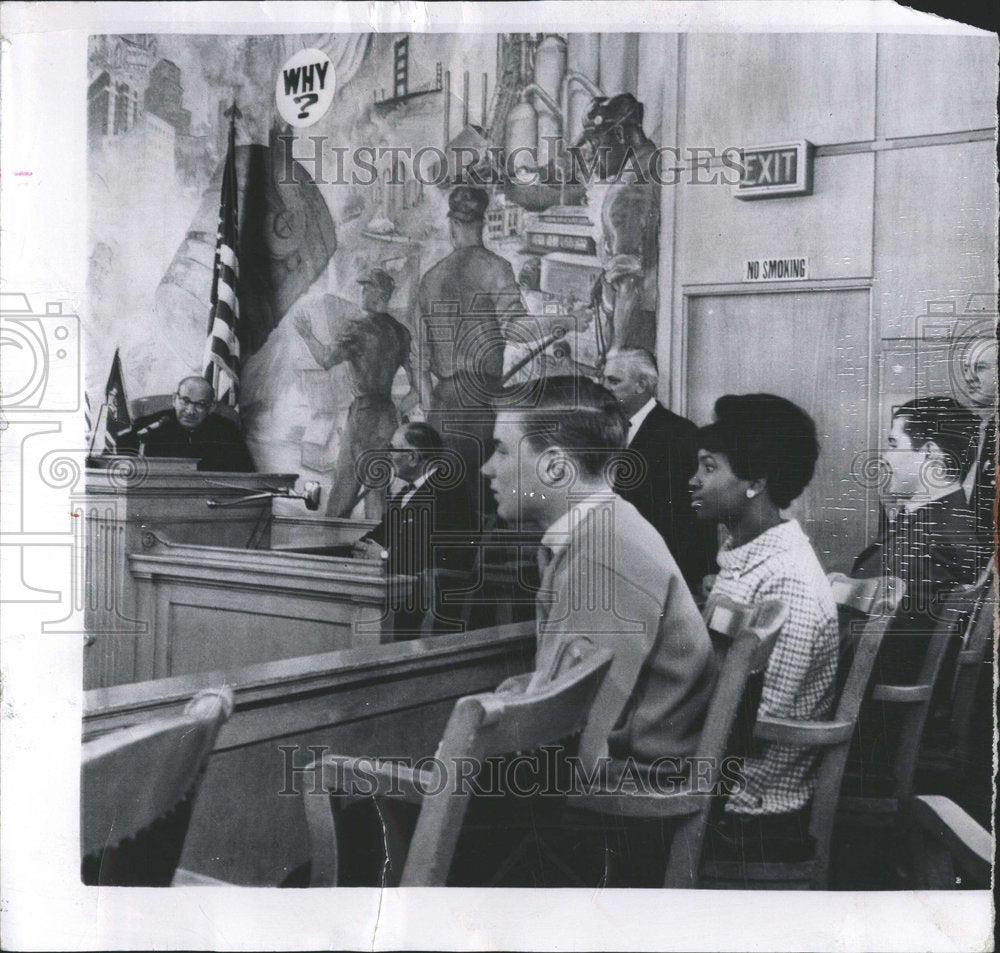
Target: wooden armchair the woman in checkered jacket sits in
{"points": [[865, 608]]}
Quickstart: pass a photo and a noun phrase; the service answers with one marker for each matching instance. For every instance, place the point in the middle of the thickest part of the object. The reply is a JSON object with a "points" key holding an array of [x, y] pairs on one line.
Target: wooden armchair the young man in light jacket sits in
{"points": [[744, 638]]}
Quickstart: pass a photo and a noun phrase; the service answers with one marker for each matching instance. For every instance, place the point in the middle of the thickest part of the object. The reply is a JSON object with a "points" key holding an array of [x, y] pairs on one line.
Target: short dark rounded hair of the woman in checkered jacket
{"points": [[764, 436]]}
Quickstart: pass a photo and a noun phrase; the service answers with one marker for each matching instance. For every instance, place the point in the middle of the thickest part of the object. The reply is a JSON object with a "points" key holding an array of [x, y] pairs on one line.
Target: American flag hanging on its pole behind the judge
{"points": [[222, 349]]}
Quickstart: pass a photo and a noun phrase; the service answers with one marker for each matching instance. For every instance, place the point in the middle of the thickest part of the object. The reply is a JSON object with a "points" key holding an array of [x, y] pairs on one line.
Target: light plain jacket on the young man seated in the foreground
{"points": [[615, 583]]}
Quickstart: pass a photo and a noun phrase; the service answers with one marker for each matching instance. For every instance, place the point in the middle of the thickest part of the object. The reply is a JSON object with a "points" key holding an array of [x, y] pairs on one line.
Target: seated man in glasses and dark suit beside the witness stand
{"points": [[426, 527]]}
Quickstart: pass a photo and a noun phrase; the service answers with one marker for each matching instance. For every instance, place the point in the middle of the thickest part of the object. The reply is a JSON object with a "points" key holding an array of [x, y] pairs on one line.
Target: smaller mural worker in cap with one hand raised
{"points": [[374, 345]]}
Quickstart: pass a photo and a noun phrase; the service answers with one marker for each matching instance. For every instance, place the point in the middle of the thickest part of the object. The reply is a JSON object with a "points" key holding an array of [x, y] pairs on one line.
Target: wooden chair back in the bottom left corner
{"points": [[138, 786]]}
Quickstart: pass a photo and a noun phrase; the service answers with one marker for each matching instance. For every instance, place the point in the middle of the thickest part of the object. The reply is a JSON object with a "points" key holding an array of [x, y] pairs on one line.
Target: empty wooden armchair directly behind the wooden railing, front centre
{"points": [[481, 727]]}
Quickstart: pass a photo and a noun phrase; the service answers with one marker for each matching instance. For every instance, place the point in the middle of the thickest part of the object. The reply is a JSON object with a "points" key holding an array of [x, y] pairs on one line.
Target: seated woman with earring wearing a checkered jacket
{"points": [[753, 460]]}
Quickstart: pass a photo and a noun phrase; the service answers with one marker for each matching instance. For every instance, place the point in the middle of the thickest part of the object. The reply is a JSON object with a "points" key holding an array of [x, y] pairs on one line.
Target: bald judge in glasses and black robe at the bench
{"points": [[191, 430]]}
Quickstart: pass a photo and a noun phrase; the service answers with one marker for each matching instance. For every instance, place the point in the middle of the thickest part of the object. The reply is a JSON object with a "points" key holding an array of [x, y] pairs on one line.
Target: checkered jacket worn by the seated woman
{"points": [[800, 676]]}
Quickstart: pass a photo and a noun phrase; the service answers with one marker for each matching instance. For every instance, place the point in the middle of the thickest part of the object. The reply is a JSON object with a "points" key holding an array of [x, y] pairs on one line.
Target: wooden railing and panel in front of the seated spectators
{"points": [[389, 700]]}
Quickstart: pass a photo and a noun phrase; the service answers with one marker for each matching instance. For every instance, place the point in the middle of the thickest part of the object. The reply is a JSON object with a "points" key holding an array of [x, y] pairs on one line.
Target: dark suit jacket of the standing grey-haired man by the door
{"points": [[666, 443]]}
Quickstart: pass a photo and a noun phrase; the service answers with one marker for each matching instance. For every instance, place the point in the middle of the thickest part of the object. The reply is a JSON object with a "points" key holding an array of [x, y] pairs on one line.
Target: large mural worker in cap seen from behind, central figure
{"points": [[462, 304]]}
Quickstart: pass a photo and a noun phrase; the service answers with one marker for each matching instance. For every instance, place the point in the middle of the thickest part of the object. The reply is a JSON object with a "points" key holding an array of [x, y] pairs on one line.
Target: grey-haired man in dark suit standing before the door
{"points": [[656, 483]]}
